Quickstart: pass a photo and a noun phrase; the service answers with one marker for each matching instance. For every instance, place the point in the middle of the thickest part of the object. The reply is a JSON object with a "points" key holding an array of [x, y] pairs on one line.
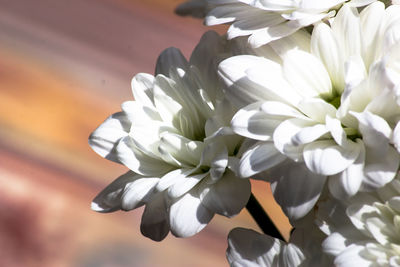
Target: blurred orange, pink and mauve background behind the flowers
{"points": [[64, 67]]}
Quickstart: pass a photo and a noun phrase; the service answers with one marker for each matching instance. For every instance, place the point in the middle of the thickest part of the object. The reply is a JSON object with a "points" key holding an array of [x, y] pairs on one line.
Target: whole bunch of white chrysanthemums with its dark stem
{"points": [[303, 94]]}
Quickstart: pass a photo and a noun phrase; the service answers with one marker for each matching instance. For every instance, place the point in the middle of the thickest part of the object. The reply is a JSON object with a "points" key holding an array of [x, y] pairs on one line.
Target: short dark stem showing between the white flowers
{"points": [[262, 219]]}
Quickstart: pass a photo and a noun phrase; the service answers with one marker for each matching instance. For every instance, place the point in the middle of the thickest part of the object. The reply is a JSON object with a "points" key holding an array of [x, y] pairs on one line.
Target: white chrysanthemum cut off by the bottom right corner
{"points": [[369, 232]]}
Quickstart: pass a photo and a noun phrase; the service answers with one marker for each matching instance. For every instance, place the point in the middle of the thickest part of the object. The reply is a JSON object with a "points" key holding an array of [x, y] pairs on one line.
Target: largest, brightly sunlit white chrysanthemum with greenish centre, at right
{"points": [[331, 112]]}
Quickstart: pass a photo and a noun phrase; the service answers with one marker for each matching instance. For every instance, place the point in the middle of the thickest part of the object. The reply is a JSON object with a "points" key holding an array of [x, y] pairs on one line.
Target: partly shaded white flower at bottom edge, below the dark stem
{"points": [[247, 248]]}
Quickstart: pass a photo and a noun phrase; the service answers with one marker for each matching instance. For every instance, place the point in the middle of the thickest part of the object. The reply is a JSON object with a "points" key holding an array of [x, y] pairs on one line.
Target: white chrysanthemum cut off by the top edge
{"points": [[268, 20]]}
